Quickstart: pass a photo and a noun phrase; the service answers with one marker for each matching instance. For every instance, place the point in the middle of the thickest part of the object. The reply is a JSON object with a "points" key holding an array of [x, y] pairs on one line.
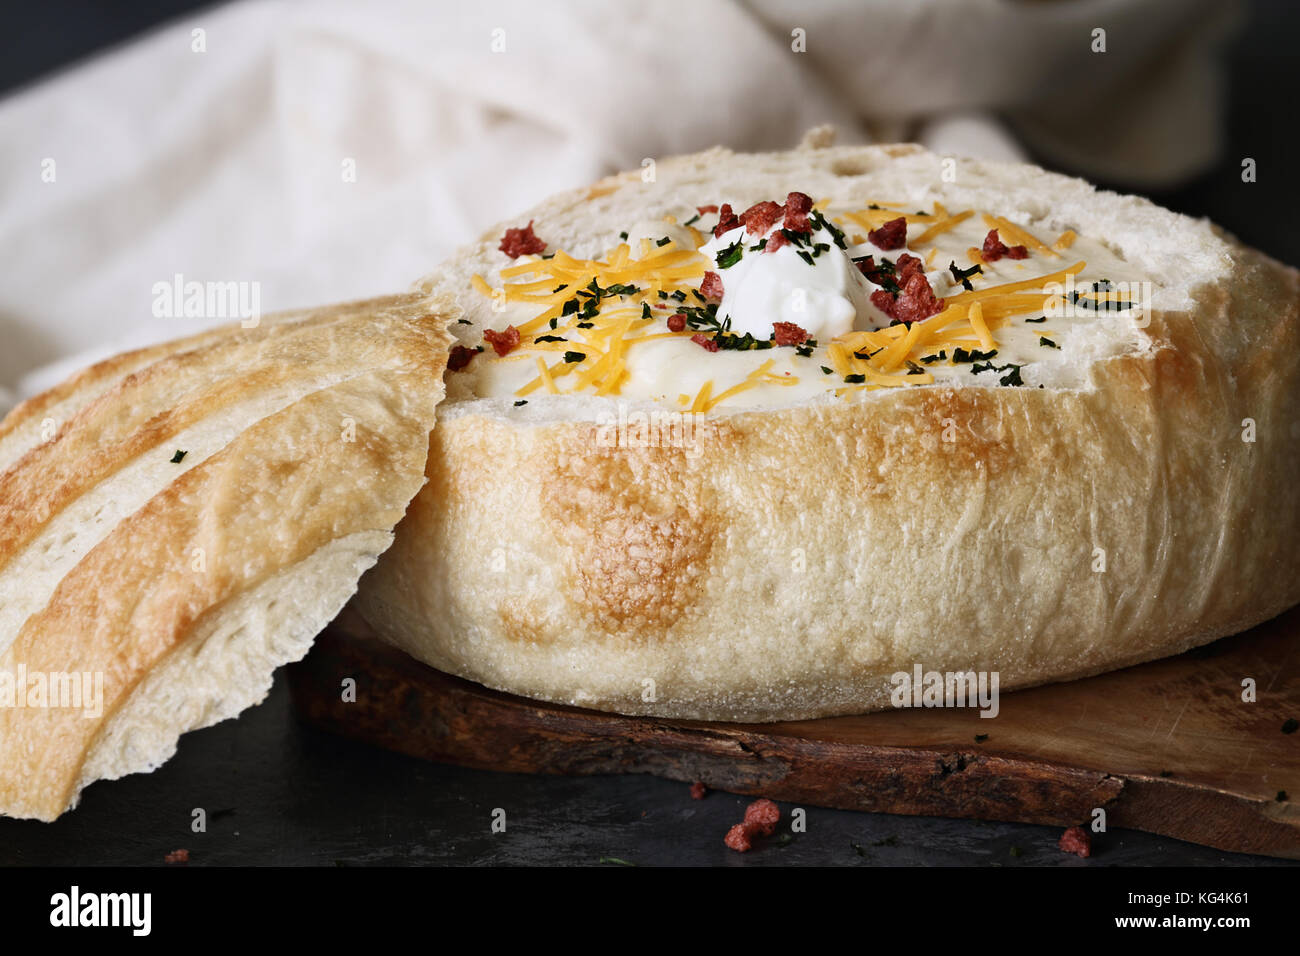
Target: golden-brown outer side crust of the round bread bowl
{"points": [[801, 556]]}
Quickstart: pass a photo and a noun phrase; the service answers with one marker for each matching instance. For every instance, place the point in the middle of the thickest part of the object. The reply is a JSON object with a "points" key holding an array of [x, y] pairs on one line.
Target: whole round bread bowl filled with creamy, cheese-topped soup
{"points": [[1121, 492]]}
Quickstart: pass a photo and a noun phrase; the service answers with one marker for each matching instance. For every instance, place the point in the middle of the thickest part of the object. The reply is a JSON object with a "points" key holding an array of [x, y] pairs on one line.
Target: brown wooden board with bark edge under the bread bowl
{"points": [[1167, 747]]}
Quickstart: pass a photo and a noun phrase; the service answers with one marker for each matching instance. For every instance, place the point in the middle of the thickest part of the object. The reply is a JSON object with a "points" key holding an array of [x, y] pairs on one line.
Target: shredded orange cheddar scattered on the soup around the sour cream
{"points": [[592, 314]]}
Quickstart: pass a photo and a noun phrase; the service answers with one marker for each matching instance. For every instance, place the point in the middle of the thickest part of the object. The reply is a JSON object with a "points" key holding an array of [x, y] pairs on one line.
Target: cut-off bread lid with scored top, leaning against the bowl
{"points": [[180, 521]]}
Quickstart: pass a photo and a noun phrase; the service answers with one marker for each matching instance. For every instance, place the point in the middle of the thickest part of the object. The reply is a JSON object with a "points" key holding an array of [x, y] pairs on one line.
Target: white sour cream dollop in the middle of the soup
{"points": [[826, 299]]}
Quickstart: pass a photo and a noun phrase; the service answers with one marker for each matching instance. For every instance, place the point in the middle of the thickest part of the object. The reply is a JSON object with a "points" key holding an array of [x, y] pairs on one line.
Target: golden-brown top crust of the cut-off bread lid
{"points": [[339, 458]]}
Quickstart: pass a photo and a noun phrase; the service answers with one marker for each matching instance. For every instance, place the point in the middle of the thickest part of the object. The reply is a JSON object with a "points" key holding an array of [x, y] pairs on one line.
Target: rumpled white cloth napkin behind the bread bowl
{"points": [[219, 149]]}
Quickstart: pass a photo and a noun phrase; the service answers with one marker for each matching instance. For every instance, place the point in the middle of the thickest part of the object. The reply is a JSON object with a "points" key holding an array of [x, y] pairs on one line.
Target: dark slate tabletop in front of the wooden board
{"points": [[278, 793]]}
